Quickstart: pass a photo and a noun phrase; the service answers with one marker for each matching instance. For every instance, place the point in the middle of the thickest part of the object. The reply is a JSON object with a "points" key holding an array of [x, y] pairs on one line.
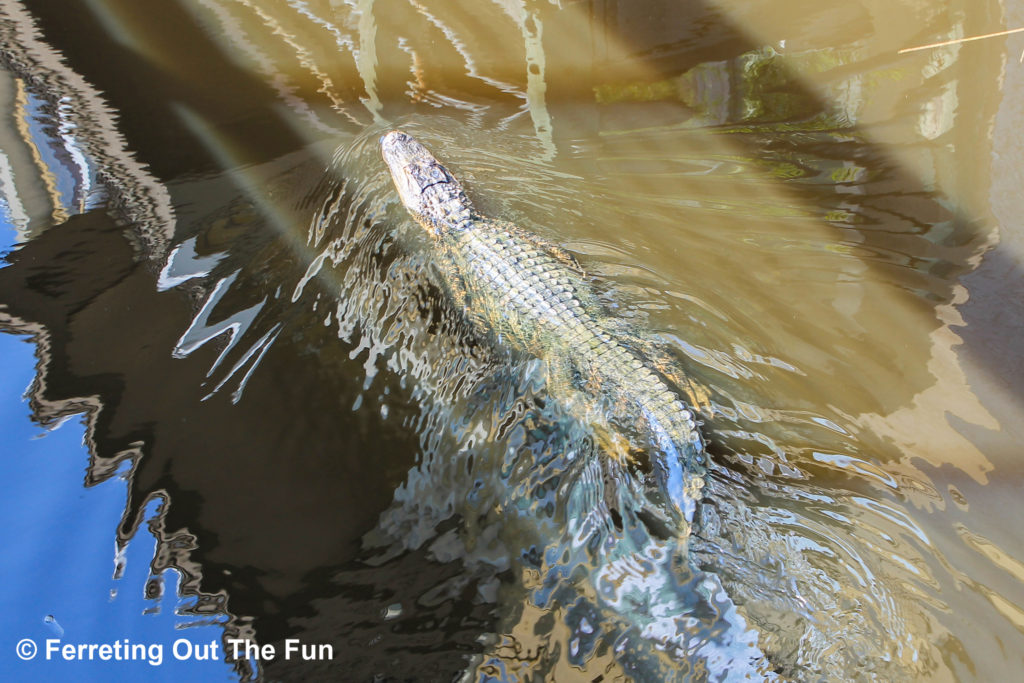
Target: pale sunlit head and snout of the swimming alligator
{"points": [[420, 179]]}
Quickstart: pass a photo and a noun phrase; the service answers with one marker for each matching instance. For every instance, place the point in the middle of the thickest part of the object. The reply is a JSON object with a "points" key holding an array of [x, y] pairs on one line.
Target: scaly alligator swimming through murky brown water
{"points": [[534, 297]]}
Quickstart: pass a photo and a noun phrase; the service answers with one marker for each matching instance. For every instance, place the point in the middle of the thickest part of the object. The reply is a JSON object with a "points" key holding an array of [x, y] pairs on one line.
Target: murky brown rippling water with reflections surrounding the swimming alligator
{"points": [[218, 274]]}
